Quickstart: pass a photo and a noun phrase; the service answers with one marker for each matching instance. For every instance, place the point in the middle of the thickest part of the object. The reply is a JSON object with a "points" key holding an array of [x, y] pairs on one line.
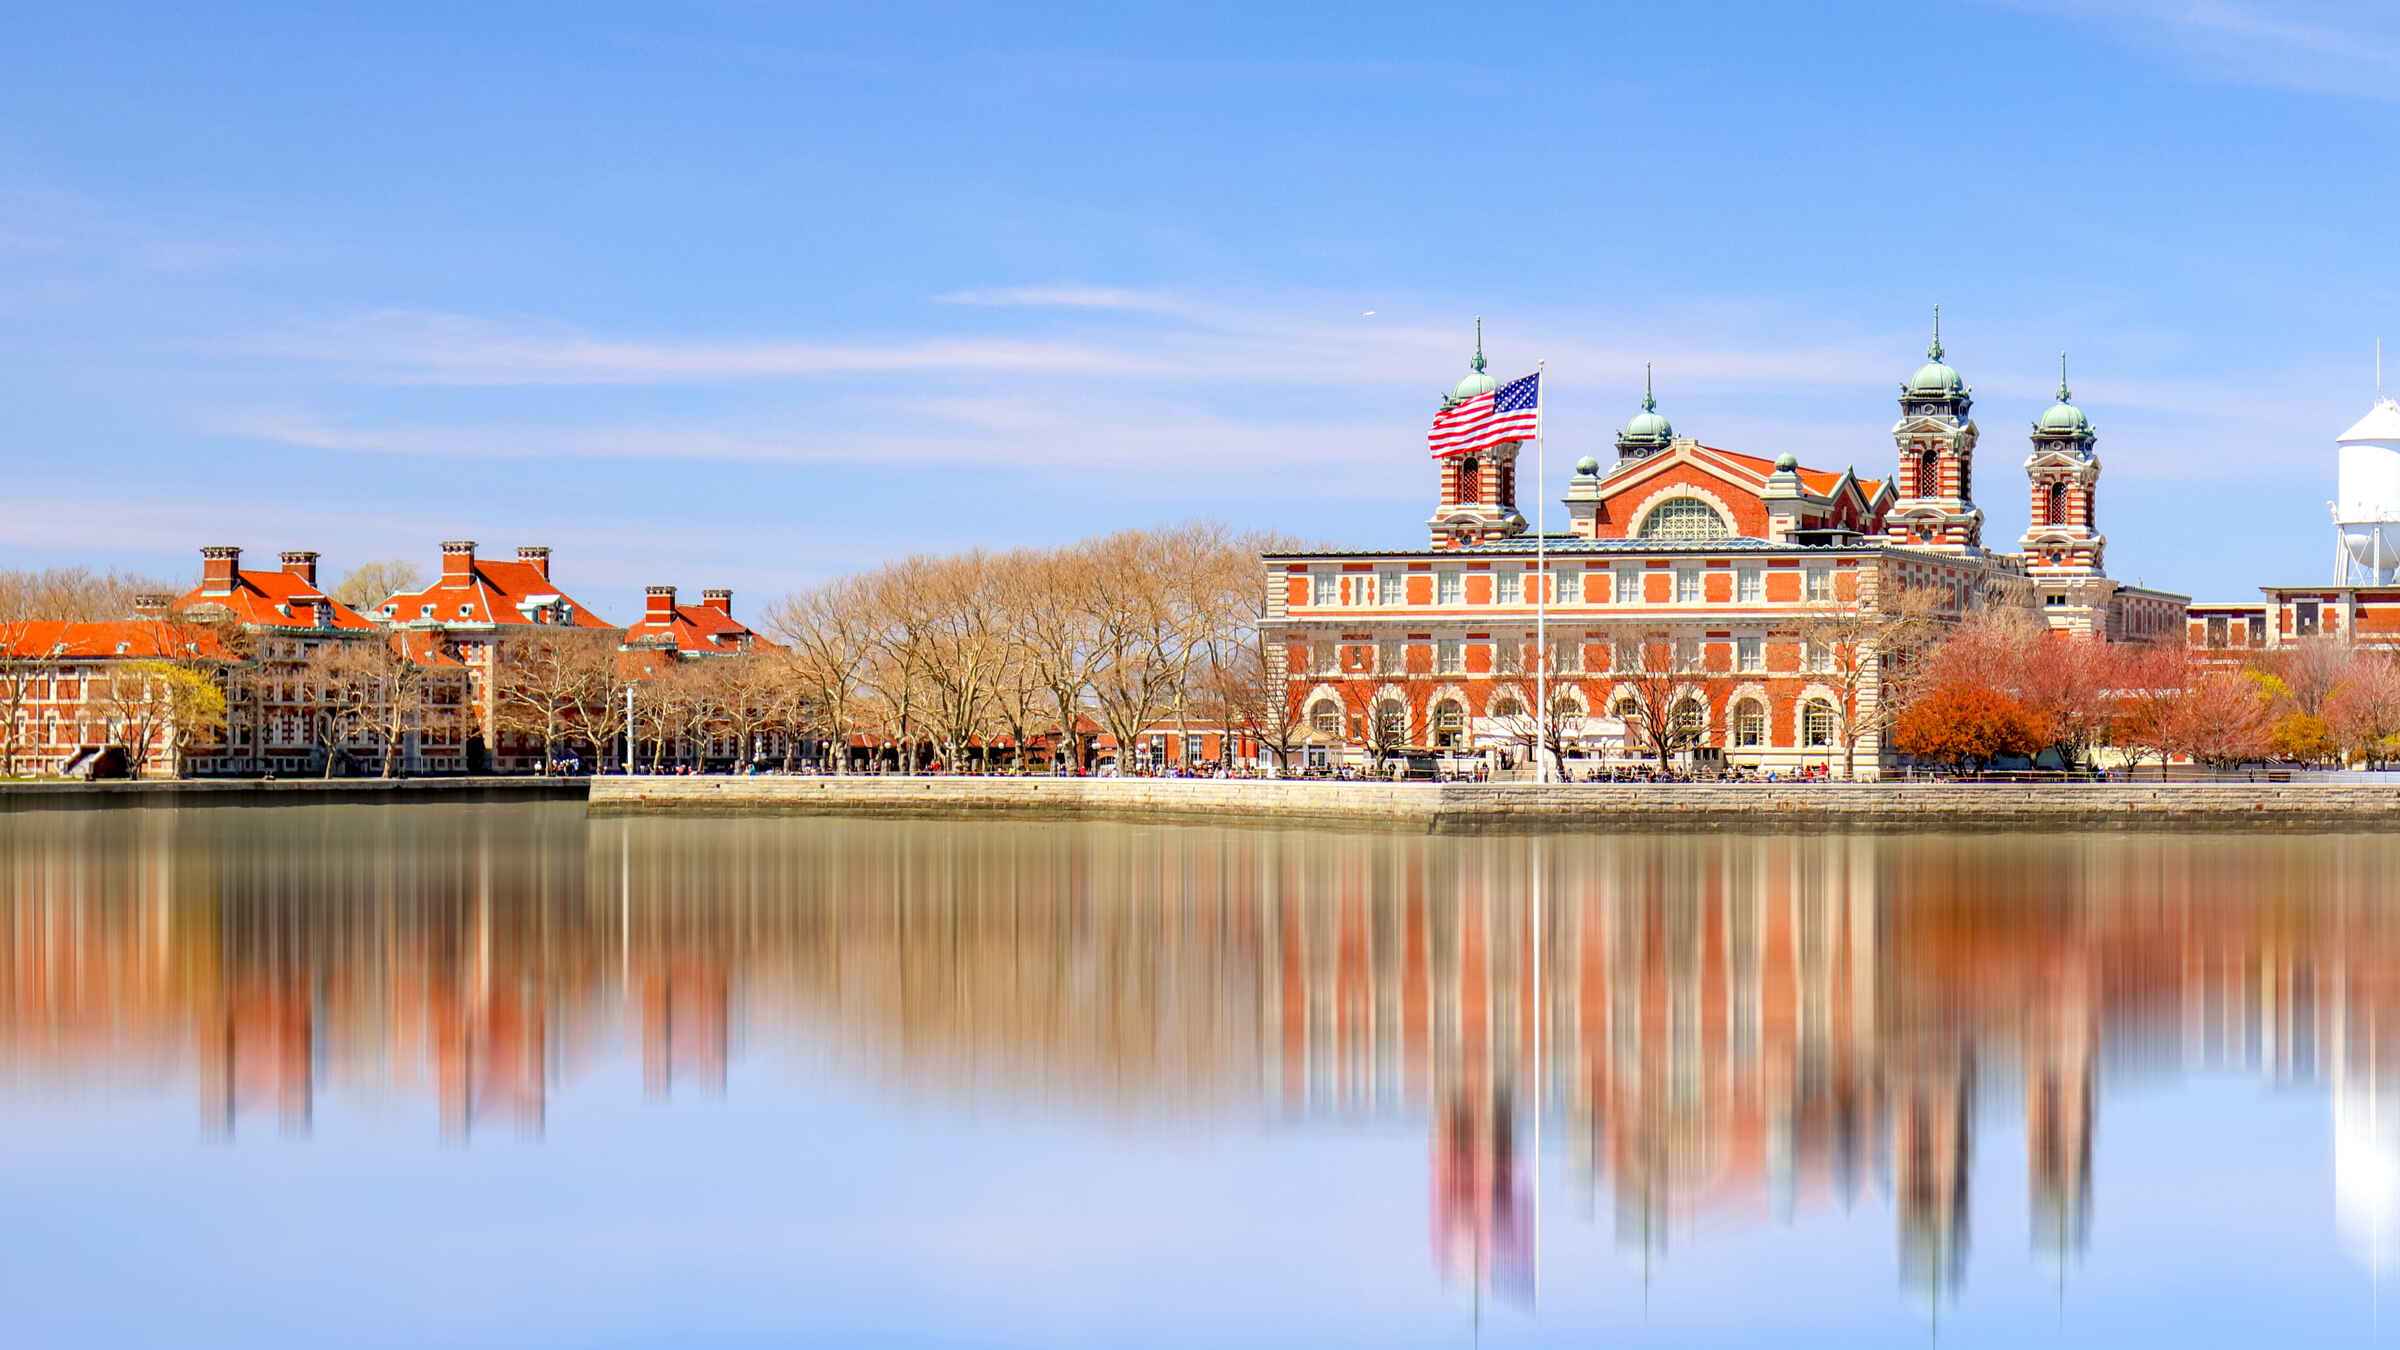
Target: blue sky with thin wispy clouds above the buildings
{"points": [[750, 294]]}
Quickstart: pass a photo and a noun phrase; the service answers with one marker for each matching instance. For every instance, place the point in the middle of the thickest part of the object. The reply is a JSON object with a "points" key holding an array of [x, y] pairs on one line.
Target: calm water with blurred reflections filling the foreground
{"points": [[510, 1077]]}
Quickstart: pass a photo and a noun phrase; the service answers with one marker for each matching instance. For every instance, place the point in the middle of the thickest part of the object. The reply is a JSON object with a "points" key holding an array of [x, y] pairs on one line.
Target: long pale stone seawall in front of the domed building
{"points": [[1528, 806]]}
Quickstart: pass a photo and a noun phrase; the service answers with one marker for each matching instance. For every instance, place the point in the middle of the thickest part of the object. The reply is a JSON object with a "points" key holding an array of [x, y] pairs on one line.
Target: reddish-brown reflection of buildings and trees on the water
{"points": [[1720, 1029]]}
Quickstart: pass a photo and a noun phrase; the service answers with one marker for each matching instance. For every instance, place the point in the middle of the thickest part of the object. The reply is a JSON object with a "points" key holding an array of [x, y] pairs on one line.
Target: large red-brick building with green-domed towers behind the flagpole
{"points": [[1691, 568]]}
